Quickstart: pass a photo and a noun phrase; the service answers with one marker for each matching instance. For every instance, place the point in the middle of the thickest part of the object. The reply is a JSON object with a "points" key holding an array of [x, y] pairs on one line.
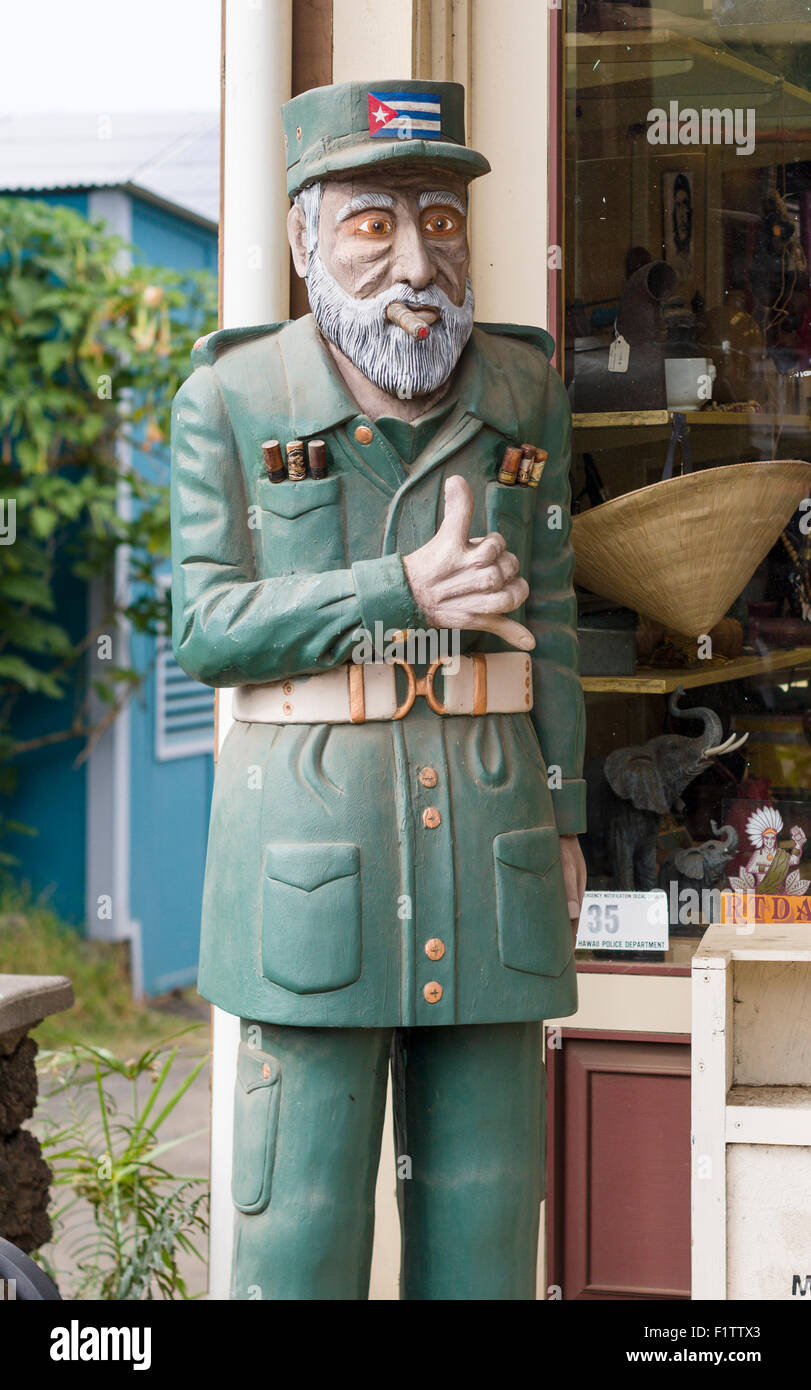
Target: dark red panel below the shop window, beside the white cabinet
{"points": [[618, 1211]]}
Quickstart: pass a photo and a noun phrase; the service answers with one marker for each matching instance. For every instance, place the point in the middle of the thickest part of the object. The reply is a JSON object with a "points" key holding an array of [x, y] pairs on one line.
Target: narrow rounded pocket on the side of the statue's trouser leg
{"points": [[255, 1128]]}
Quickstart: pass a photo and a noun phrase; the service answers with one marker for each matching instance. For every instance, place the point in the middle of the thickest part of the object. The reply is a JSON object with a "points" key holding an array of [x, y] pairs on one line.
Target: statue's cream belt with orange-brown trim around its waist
{"points": [[489, 683]]}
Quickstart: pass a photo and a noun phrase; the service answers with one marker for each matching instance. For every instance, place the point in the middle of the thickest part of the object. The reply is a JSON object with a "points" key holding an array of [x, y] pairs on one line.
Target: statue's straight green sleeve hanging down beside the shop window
{"points": [[552, 614]]}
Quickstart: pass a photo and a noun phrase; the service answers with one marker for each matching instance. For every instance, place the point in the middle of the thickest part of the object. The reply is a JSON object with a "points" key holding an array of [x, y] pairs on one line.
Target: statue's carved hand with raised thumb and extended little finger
{"points": [[463, 582]]}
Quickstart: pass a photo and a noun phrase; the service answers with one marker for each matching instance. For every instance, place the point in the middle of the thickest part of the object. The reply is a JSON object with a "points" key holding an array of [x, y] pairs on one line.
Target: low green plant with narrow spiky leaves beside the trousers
{"points": [[126, 1218]]}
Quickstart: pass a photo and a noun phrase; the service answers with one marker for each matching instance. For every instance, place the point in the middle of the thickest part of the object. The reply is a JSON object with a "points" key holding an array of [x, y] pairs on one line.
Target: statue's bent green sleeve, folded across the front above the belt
{"points": [[230, 626]]}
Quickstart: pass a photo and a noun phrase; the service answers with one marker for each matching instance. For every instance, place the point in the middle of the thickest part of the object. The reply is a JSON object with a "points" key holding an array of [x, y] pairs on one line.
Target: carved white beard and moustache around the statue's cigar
{"points": [[393, 361]]}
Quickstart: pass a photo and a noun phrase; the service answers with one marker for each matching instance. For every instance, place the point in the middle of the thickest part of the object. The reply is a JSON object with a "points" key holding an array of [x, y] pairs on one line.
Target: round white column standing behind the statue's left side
{"points": [[258, 49]]}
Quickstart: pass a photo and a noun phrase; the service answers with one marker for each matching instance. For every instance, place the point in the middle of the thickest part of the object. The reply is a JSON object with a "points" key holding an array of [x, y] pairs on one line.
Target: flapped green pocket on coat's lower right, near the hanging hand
{"points": [[535, 933]]}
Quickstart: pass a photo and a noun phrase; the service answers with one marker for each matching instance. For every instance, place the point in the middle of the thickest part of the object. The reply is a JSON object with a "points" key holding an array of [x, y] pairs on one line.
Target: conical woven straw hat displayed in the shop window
{"points": [[682, 551]]}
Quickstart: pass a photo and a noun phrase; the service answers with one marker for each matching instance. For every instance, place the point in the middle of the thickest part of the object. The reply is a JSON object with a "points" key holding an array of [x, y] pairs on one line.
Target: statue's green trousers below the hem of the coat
{"points": [[469, 1139]]}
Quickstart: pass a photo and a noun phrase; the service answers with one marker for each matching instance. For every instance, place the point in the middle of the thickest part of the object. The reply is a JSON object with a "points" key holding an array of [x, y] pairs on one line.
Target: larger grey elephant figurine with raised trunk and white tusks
{"points": [[646, 782]]}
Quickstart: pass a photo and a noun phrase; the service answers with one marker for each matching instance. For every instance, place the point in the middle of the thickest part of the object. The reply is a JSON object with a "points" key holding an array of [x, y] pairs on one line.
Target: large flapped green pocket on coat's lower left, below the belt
{"points": [[311, 917]]}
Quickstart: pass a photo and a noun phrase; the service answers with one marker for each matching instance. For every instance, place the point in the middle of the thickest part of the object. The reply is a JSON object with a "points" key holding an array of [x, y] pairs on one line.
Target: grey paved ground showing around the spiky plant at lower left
{"points": [[191, 1159]]}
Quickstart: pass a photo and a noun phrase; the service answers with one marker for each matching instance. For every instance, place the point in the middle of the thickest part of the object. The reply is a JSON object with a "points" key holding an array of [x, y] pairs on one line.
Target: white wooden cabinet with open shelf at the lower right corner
{"points": [[752, 1113]]}
